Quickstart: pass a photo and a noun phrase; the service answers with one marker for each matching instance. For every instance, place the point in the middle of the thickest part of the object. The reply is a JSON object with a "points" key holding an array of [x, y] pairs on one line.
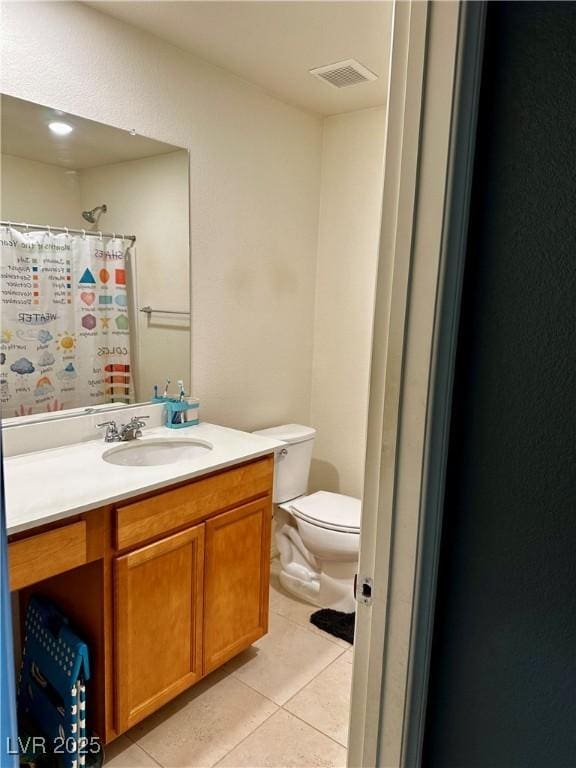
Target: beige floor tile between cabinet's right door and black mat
{"points": [[284, 660]]}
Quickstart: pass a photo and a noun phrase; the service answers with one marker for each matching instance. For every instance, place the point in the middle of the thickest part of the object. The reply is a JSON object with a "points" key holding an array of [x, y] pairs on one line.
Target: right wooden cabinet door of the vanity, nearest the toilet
{"points": [[237, 574]]}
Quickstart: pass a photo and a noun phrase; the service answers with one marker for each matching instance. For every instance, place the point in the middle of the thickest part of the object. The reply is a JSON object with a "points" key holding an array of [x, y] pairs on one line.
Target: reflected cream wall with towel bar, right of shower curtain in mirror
{"points": [[149, 198]]}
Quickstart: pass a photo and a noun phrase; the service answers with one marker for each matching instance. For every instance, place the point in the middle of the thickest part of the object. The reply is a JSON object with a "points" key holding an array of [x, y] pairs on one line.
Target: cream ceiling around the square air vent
{"points": [[275, 44]]}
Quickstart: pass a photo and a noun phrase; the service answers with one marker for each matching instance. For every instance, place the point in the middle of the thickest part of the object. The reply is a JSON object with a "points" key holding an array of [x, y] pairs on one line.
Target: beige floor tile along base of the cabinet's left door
{"points": [[203, 724]]}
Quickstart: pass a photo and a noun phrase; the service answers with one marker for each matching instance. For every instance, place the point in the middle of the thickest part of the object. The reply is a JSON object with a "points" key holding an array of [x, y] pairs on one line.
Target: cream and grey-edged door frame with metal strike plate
{"points": [[435, 68]]}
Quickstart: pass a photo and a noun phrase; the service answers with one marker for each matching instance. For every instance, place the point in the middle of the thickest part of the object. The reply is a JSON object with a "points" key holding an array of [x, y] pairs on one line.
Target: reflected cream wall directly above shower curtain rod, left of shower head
{"points": [[39, 193]]}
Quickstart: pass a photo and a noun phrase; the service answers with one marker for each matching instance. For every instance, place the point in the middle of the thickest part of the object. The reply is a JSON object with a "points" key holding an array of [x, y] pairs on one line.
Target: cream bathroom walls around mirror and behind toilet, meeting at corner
{"points": [[282, 295]]}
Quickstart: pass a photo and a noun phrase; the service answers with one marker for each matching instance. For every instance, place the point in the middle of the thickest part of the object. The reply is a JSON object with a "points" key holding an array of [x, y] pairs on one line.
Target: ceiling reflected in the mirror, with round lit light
{"points": [[25, 133]]}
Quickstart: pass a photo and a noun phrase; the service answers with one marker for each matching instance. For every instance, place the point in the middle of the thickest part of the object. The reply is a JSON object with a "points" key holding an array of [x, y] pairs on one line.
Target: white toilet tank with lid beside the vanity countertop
{"points": [[292, 462]]}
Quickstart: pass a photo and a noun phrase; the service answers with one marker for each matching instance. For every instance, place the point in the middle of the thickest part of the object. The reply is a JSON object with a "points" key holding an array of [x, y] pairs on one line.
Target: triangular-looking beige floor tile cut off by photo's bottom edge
{"points": [[286, 742]]}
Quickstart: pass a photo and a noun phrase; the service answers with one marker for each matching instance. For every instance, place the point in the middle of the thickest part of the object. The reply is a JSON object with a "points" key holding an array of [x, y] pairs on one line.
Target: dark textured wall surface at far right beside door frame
{"points": [[504, 658]]}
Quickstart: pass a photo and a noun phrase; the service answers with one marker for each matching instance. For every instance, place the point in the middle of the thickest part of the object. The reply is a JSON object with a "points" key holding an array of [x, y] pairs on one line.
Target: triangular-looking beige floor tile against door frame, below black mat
{"points": [[325, 702]]}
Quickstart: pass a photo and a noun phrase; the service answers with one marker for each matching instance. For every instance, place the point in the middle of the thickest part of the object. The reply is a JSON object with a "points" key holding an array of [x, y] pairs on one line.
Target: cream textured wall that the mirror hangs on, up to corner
{"points": [[255, 167]]}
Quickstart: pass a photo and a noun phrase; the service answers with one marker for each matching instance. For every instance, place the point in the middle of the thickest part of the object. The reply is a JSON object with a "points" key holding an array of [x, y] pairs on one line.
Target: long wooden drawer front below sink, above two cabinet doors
{"points": [[147, 519]]}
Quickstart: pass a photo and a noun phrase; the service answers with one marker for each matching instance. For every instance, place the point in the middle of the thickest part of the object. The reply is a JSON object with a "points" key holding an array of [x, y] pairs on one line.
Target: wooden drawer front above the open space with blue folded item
{"points": [[39, 557]]}
